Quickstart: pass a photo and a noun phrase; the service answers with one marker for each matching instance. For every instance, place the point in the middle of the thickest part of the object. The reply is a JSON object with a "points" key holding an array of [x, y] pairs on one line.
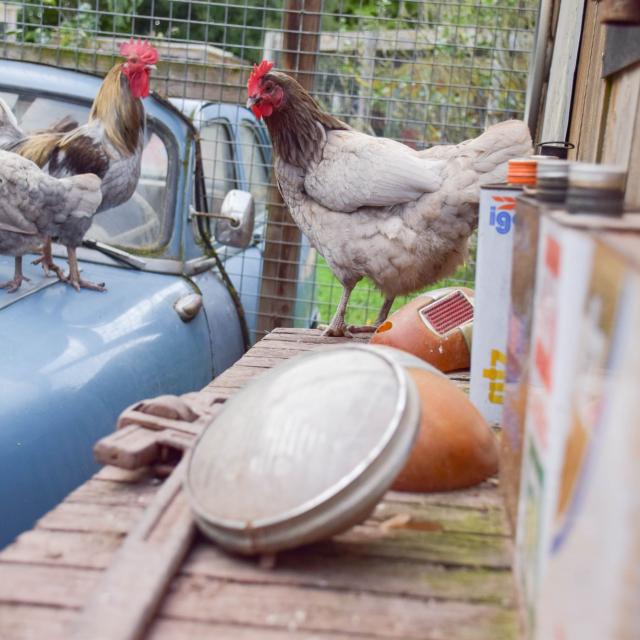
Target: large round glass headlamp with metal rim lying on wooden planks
{"points": [[304, 451]]}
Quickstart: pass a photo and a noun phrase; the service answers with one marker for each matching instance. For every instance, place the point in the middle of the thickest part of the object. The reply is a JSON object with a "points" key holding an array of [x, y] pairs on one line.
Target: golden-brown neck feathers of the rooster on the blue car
{"points": [[121, 113]]}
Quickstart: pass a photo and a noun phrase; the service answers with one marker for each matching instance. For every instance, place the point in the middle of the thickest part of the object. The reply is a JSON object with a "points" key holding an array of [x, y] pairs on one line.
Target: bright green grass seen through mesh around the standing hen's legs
{"points": [[365, 301]]}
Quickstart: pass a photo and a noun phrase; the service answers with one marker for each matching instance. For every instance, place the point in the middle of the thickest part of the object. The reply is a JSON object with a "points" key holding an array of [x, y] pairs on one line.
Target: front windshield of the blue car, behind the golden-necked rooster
{"points": [[145, 220]]}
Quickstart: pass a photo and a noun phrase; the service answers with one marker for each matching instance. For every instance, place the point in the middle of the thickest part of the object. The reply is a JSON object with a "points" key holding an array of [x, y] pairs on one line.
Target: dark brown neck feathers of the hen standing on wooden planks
{"points": [[296, 127]]}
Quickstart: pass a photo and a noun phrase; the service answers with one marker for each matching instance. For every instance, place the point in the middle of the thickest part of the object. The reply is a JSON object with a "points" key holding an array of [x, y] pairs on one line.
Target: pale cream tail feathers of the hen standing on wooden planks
{"points": [[490, 152]]}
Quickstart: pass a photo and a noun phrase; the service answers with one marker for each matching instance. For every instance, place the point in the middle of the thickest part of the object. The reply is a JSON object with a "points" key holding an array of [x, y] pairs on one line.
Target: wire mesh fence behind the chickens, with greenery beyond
{"points": [[421, 72]]}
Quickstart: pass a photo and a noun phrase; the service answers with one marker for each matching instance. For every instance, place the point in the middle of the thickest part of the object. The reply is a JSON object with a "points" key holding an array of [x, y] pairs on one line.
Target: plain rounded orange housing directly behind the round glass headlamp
{"points": [[455, 447]]}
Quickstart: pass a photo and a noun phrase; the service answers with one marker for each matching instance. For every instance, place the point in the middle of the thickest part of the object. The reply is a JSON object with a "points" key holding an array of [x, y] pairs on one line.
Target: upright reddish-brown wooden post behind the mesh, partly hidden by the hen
{"points": [[301, 25]]}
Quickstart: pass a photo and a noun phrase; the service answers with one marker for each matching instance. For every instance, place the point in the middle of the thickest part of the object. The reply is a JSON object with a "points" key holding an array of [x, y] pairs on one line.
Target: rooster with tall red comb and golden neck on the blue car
{"points": [[109, 146]]}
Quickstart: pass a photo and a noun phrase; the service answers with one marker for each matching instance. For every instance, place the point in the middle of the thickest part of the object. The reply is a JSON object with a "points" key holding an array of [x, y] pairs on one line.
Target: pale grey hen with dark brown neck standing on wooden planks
{"points": [[374, 207]]}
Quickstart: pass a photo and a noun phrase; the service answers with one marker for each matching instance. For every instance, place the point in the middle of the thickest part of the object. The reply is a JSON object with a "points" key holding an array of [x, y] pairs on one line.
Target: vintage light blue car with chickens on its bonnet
{"points": [[168, 322]]}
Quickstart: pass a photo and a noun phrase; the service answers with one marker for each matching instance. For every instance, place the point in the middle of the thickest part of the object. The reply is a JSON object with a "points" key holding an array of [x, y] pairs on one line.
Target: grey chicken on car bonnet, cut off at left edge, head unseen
{"points": [[32, 202]]}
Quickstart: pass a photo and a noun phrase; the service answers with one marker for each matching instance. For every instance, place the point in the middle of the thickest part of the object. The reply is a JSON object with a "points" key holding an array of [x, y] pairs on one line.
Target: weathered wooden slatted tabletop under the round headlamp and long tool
{"points": [[433, 566]]}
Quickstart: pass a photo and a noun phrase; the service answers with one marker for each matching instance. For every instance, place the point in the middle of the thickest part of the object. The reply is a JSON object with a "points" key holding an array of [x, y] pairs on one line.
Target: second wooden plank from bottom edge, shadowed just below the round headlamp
{"points": [[308, 567]]}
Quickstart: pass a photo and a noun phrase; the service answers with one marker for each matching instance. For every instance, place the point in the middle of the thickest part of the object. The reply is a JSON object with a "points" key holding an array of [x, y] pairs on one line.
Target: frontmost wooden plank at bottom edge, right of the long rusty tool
{"points": [[210, 600]]}
